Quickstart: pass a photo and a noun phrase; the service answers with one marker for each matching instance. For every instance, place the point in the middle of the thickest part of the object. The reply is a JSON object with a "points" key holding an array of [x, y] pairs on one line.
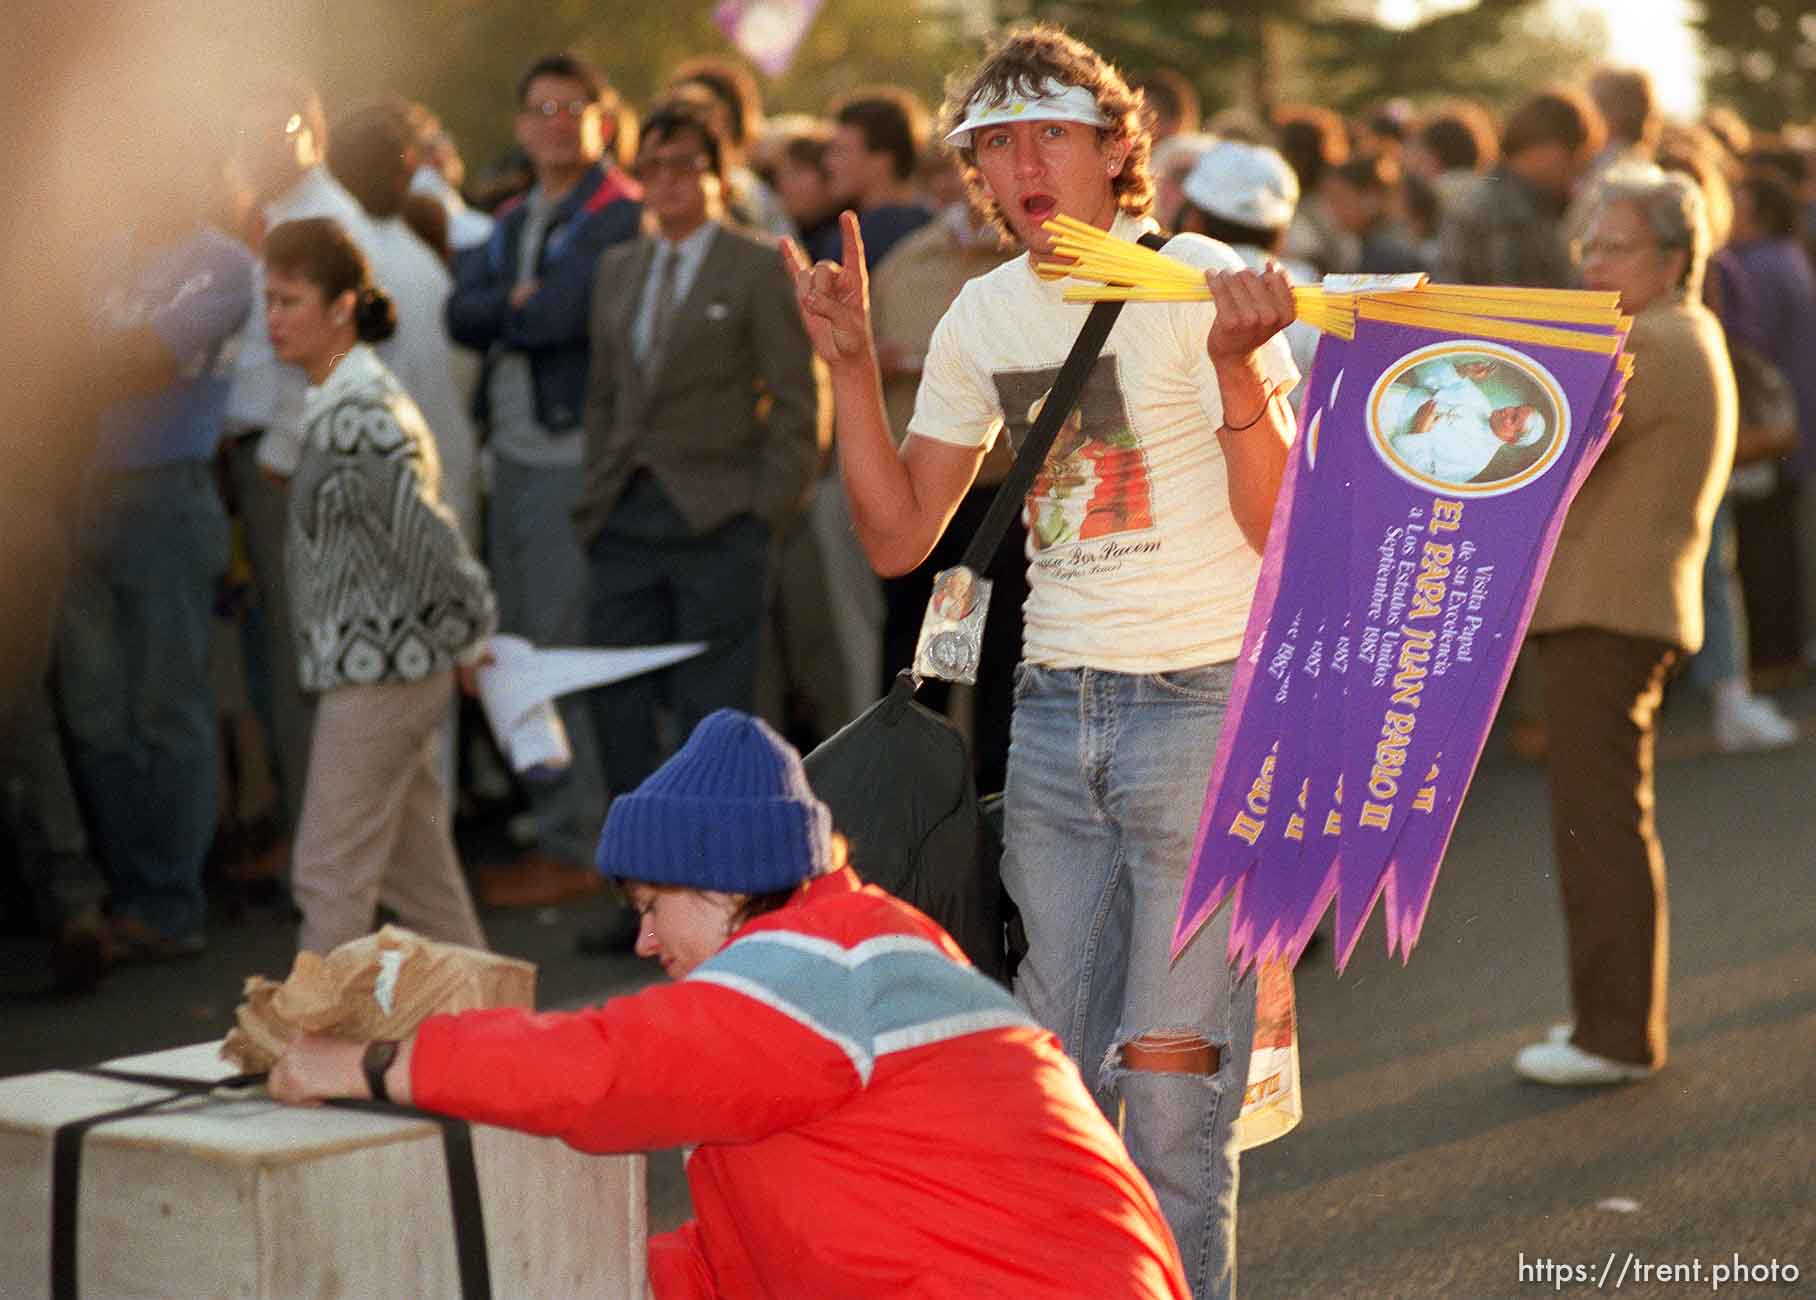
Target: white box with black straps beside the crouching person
{"points": [[241, 1197]]}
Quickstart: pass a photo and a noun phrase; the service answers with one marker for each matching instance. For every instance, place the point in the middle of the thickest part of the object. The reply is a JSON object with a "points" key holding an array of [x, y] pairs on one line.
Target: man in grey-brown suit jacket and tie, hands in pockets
{"points": [[706, 422]]}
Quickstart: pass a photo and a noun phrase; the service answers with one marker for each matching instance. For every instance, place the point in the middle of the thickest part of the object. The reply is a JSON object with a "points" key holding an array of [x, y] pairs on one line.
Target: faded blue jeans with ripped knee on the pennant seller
{"points": [[1105, 789]]}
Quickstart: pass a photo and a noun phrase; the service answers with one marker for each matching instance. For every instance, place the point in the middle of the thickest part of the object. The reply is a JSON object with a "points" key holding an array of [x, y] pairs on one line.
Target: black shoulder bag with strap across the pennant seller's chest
{"points": [[900, 780]]}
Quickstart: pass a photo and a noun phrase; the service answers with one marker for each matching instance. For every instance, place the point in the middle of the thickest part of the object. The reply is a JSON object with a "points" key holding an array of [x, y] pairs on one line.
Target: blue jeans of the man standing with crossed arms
{"points": [[540, 578]]}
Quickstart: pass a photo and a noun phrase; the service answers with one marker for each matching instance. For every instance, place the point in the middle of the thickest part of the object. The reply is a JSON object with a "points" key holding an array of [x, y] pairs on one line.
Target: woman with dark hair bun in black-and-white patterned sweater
{"points": [[386, 602]]}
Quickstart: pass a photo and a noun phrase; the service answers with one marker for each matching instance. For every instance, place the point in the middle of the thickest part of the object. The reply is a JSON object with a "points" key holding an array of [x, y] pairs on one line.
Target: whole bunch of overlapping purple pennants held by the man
{"points": [[1423, 504]]}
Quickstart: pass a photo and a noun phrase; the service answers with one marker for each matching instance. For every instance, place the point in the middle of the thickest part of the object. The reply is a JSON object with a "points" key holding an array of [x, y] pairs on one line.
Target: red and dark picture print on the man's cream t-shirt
{"points": [[1094, 484]]}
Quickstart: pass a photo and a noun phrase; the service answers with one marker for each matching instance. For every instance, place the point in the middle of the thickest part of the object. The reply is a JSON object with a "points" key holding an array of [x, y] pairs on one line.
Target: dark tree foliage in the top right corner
{"points": [[1762, 59]]}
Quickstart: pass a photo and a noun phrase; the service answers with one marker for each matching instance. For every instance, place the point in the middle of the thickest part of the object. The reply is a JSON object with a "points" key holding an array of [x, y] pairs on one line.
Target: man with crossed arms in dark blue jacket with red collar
{"points": [[524, 300]]}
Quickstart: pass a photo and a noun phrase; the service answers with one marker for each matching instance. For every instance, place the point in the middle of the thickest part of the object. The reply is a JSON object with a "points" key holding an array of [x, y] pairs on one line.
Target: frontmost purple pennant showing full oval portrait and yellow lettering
{"points": [[1472, 448]]}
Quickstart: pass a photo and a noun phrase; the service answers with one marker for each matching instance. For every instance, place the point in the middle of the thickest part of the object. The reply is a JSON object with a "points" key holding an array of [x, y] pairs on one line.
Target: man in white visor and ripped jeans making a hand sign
{"points": [[1145, 531]]}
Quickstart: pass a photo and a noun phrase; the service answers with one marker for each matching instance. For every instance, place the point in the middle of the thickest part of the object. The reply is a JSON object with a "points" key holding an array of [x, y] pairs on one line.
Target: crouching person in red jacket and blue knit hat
{"points": [[871, 1118]]}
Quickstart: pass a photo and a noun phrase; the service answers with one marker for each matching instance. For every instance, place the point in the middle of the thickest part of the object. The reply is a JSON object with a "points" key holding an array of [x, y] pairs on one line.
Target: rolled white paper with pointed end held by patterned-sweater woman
{"points": [[518, 691]]}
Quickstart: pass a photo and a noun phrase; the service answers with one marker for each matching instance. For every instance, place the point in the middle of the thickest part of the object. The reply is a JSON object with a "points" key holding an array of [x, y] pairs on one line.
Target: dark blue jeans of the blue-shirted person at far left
{"points": [[133, 665]]}
